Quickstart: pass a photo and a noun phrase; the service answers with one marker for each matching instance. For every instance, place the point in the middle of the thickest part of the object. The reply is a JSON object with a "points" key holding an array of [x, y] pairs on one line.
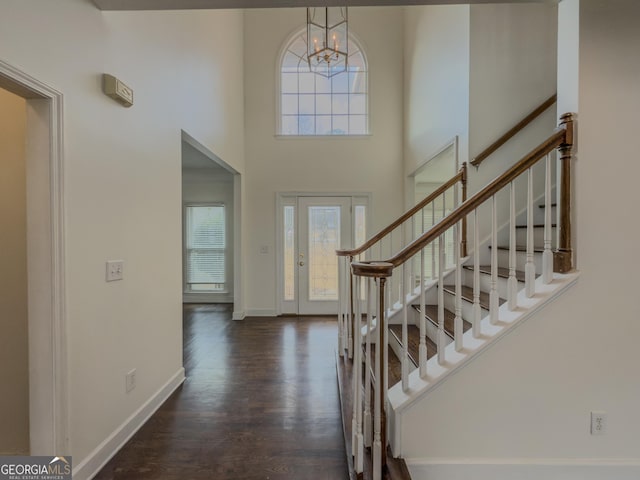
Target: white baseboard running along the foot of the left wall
{"points": [[97, 459]]}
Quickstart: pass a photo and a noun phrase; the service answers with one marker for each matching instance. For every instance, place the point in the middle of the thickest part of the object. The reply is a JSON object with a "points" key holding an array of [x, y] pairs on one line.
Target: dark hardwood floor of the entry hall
{"points": [[260, 402]]}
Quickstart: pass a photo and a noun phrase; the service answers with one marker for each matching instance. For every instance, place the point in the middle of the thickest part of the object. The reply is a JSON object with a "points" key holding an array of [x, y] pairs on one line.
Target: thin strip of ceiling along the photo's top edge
{"points": [[196, 4]]}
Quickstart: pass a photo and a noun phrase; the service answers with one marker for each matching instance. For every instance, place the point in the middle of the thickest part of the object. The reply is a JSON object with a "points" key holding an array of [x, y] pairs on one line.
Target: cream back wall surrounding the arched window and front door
{"points": [[364, 164]]}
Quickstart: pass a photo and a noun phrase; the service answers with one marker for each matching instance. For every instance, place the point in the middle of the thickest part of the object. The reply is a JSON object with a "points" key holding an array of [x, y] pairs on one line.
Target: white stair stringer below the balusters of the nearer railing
{"points": [[400, 402]]}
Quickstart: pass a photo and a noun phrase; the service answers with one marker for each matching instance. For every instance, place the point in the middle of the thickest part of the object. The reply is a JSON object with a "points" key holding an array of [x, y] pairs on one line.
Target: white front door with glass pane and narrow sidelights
{"points": [[311, 229]]}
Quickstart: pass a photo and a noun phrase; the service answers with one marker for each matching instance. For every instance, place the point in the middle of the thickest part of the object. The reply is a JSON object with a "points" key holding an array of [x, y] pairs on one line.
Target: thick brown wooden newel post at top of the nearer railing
{"points": [[563, 256]]}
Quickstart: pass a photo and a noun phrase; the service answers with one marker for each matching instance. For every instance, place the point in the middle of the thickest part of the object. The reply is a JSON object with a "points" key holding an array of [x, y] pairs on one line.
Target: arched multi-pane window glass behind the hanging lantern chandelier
{"points": [[311, 104]]}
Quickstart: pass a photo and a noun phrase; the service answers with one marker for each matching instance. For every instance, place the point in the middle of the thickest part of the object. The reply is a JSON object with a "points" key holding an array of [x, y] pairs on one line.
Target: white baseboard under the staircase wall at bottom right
{"points": [[524, 469]]}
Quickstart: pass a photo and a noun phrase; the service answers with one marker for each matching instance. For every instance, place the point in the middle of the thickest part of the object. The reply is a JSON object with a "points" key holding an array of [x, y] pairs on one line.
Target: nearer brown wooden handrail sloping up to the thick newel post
{"points": [[562, 137]]}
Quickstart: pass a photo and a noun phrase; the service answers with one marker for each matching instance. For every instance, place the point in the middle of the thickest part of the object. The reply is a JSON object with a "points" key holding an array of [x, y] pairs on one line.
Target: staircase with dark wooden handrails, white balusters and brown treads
{"points": [[429, 325]]}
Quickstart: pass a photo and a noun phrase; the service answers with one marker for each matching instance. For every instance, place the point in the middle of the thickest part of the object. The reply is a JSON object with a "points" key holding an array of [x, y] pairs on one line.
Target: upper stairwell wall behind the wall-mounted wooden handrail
{"points": [[513, 63]]}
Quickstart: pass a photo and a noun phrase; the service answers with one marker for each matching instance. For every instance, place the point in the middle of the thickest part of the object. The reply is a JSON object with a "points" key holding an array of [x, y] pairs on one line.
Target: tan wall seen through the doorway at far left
{"points": [[14, 361]]}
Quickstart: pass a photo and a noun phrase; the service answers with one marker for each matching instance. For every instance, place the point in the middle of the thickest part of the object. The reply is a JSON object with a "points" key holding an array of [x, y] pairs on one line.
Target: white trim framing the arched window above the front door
{"points": [[278, 123]]}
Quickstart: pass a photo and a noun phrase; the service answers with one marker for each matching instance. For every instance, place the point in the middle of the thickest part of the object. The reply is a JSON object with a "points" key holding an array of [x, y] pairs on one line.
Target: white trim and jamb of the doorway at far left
{"points": [[48, 378]]}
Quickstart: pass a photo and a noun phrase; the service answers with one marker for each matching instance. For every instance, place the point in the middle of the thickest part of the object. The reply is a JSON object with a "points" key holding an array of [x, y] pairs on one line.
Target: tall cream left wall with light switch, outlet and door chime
{"points": [[122, 181]]}
